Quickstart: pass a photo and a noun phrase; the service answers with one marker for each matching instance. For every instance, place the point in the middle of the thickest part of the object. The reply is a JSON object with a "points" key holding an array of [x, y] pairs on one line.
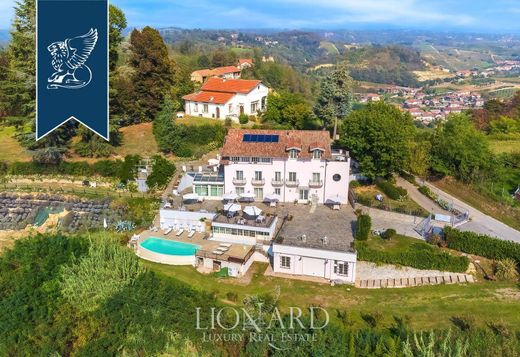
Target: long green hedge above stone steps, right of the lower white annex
{"points": [[420, 257]]}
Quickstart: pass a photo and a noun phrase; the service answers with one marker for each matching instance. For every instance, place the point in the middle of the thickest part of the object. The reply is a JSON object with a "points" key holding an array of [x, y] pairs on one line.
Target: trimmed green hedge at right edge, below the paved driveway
{"points": [[482, 245]]}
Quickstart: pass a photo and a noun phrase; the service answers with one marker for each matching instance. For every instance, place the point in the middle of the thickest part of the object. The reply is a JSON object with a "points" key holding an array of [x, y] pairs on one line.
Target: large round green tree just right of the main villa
{"points": [[379, 137]]}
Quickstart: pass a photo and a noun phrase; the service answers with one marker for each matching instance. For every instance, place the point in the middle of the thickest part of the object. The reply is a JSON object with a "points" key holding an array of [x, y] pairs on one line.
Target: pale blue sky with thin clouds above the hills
{"points": [[498, 16]]}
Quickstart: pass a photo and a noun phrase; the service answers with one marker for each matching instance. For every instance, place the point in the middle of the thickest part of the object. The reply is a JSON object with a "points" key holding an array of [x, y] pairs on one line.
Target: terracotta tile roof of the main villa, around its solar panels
{"points": [[305, 139]]}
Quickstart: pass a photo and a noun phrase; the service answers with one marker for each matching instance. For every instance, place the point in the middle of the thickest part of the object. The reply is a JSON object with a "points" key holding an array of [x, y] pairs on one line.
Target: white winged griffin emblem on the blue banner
{"points": [[68, 61]]}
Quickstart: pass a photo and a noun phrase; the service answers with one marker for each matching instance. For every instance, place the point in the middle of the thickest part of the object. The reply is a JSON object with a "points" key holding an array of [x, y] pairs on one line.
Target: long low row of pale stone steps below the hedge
{"points": [[418, 281]]}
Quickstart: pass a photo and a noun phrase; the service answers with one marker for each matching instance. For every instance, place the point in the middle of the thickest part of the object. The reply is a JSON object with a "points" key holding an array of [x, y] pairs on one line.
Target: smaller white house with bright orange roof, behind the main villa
{"points": [[221, 98]]}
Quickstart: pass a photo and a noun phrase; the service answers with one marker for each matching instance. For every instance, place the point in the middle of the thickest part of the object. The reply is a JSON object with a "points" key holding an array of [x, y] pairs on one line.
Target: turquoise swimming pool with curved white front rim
{"points": [[167, 251]]}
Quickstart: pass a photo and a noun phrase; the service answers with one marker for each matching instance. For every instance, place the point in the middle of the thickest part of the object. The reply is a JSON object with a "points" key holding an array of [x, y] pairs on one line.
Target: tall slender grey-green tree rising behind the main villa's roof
{"points": [[335, 99]]}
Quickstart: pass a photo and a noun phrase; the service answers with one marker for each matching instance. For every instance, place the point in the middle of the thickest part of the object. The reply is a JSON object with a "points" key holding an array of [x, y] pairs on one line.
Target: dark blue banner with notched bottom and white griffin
{"points": [[72, 65]]}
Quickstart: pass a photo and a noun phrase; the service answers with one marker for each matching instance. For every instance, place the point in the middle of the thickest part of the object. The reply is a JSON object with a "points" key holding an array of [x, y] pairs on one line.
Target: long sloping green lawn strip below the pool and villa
{"points": [[427, 306]]}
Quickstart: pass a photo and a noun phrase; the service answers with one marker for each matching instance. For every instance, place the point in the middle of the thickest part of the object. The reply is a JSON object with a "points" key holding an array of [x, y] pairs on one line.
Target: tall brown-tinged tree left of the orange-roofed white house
{"points": [[153, 73]]}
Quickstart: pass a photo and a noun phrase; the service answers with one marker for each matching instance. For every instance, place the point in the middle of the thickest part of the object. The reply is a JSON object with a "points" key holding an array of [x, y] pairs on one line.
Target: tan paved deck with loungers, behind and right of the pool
{"points": [[236, 252]]}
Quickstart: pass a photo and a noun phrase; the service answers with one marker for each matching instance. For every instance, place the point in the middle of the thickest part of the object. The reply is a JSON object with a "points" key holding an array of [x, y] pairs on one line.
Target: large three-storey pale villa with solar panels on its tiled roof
{"points": [[296, 165]]}
